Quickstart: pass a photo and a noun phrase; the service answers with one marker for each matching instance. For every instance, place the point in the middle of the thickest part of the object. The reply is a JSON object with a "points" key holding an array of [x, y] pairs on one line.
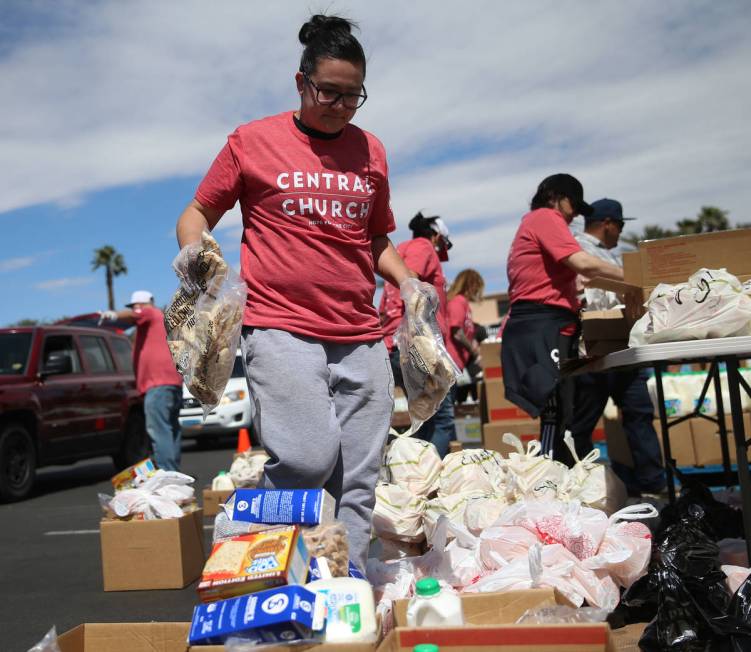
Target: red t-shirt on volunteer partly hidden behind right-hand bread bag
{"points": [[420, 256]]}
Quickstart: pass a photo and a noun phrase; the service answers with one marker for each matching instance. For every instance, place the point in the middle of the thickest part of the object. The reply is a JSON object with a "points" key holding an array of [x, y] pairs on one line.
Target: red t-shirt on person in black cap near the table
{"points": [[535, 267]]}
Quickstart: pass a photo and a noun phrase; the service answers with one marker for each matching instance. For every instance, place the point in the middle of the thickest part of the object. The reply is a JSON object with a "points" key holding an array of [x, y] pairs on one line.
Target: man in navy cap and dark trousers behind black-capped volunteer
{"points": [[602, 229]]}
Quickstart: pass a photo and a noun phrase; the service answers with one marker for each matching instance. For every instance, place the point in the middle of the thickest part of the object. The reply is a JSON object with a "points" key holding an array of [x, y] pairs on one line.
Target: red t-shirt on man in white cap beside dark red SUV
{"points": [[152, 361]]}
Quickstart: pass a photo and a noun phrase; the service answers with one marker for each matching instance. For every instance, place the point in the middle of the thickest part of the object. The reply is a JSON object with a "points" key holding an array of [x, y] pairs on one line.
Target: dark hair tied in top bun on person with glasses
{"points": [[329, 37]]}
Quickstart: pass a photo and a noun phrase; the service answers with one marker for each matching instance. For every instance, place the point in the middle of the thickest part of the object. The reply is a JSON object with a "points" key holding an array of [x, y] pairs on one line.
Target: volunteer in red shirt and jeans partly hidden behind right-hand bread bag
{"points": [[423, 255]]}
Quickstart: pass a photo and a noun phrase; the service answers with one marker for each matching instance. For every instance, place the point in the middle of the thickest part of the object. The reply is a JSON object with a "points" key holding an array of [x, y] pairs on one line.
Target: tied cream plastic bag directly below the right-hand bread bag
{"points": [[411, 463]]}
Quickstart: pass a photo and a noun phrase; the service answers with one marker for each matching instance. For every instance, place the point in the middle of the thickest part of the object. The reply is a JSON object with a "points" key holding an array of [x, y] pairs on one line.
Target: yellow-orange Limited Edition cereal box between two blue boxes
{"points": [[254, 562]]}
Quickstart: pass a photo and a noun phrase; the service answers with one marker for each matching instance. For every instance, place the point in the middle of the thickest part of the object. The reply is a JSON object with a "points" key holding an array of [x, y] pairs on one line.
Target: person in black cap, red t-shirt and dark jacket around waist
{"points": [[543, 323]]}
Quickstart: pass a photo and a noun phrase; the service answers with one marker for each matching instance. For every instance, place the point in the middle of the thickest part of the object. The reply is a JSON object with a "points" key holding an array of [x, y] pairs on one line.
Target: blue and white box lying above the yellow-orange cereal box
{"points": [[277, 506]]}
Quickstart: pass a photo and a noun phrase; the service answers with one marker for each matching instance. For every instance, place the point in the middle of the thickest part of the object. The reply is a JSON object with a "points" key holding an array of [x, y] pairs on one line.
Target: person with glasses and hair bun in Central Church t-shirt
{"points": [[314, 195]]}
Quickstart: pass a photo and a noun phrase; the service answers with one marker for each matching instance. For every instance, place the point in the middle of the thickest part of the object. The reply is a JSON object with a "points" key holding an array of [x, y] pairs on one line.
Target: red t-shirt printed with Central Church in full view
{"points": [[310, 208]]}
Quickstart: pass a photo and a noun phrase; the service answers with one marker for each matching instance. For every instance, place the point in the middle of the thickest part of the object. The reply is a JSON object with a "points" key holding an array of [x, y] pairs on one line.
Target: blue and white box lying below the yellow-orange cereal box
{"points": [[288, 614]]}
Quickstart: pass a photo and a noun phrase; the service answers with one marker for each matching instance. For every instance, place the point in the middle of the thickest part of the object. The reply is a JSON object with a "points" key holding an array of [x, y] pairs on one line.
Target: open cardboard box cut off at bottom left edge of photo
{"points": [[125, 637]]}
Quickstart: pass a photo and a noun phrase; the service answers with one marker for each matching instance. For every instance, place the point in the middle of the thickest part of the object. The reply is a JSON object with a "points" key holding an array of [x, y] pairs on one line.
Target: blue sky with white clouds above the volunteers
{"points": [[113, 111]]}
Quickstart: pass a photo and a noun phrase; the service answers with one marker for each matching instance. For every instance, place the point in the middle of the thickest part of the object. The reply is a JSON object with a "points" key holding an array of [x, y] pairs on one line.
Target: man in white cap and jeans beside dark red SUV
{"points": [[156, 377]]}
